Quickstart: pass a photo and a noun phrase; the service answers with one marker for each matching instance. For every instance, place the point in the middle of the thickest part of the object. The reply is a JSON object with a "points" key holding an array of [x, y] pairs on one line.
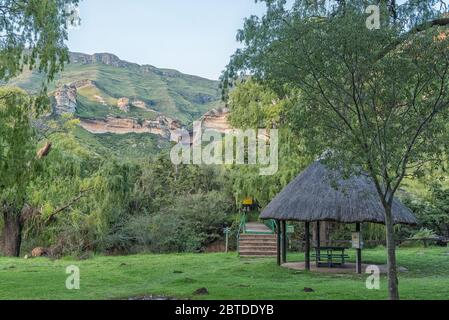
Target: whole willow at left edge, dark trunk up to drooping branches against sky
{"points": [[32, 36]]}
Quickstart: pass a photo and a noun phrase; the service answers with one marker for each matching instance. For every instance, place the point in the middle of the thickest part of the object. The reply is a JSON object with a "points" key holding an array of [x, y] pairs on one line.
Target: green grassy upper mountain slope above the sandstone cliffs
{"points": [[177, 95]]}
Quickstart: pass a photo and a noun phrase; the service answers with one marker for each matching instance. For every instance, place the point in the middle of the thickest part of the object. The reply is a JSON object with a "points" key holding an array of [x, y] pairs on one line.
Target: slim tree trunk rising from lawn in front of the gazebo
{"points": [[393, 282]]}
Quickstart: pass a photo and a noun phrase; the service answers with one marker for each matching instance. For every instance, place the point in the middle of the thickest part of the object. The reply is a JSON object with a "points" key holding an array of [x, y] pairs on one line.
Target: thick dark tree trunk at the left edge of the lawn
{"points": [[12, 233]]}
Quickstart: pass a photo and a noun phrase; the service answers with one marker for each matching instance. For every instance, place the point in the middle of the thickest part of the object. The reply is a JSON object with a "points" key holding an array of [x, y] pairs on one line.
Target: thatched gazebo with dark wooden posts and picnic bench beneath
{"points": [[321, 194]]}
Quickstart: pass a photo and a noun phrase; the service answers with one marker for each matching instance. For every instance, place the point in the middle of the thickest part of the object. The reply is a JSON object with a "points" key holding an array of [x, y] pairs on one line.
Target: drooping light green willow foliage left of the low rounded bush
{"points": [[103, 191]]}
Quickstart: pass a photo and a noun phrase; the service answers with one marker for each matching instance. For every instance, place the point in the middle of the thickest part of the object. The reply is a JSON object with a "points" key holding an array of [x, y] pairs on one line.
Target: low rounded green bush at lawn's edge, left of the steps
{"points": [[189, 224]]}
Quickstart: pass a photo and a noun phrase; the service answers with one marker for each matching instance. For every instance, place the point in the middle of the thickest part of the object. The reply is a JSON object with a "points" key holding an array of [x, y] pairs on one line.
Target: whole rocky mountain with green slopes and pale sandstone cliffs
{"points": [[120, 103]]}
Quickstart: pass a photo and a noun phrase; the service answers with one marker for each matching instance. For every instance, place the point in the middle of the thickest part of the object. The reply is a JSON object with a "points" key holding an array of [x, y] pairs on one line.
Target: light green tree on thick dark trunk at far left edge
{"points": [[17, 146]]}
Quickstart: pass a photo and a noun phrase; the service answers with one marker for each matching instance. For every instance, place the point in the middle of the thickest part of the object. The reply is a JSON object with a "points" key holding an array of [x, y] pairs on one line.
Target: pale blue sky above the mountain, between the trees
{"points": [[192, 36]]}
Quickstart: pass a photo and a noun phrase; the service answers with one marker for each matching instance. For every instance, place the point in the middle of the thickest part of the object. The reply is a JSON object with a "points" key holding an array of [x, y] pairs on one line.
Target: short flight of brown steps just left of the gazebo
{"points": [[258, 241]]}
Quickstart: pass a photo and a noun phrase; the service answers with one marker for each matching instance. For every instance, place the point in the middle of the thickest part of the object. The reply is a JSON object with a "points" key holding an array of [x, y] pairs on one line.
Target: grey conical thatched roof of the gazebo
{"points": [[321, 194]]}
